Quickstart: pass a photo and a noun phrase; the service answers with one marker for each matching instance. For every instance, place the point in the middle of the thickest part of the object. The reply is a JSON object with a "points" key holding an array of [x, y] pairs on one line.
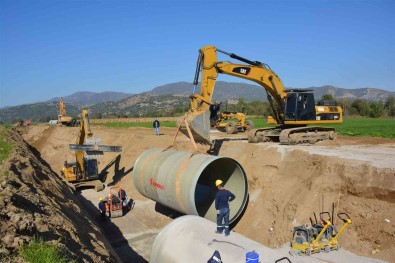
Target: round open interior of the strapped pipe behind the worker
{"points": [[234, 178]]}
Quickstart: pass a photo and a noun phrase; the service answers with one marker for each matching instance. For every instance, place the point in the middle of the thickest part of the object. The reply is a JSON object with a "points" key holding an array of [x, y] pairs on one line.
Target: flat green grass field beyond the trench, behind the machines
{"points": [[383, 127]]}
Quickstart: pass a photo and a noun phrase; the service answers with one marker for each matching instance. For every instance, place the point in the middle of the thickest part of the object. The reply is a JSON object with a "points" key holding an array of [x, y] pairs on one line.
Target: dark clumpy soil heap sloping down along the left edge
{"points": [[34, 202]]}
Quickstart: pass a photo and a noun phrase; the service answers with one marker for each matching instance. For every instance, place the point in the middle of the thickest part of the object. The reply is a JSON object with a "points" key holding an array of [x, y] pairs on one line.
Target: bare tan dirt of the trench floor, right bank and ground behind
{"points": [[286, 185]]}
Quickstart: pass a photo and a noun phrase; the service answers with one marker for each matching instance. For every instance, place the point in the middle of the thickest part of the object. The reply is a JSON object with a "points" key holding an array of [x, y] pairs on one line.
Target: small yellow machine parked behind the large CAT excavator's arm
{"points": [[223, 120]]}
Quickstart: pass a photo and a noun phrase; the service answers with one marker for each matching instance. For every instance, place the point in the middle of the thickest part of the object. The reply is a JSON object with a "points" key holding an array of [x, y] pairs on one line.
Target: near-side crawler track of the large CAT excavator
{"points": [[306, 135]]}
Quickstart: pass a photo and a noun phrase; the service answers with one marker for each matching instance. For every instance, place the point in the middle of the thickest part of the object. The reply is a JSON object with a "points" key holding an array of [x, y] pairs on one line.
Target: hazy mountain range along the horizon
{"points": [[165, 99]]}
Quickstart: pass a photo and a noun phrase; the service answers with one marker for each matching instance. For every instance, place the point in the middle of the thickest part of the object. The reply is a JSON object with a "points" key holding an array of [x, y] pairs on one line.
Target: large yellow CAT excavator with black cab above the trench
{"points": [[293, 110]]}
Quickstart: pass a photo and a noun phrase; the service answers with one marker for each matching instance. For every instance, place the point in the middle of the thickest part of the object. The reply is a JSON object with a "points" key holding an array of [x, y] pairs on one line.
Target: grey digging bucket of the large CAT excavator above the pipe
{"points": [[197, 126]]}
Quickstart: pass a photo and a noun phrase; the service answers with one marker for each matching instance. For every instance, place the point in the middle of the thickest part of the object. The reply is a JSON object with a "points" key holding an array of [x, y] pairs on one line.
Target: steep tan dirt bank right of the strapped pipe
{"points": [[286, 188]]}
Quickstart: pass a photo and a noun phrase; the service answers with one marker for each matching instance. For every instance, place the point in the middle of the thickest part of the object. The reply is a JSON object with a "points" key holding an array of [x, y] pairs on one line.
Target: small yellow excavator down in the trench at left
{"points": [[83, 172]]}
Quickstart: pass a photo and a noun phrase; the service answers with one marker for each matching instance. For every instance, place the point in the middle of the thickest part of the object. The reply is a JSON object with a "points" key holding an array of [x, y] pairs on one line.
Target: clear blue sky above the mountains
{"points": [[52, 48]]}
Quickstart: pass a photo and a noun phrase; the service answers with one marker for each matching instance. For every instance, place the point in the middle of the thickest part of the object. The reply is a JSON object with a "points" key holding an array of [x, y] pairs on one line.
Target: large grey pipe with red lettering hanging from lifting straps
{"points": [[185, 181]]}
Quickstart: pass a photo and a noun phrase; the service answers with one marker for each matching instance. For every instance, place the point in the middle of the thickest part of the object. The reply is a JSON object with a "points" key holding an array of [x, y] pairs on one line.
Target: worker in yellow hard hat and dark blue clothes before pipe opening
{"points": [[222, 199]]}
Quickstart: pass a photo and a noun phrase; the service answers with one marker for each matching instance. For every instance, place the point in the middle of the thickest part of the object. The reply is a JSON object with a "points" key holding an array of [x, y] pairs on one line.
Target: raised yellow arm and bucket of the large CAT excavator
{"points": [[209, 67]]}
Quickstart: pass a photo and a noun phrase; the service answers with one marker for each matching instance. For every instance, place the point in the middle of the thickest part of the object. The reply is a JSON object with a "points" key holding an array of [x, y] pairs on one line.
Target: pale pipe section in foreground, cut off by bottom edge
{"points": [[193, 239]]}
